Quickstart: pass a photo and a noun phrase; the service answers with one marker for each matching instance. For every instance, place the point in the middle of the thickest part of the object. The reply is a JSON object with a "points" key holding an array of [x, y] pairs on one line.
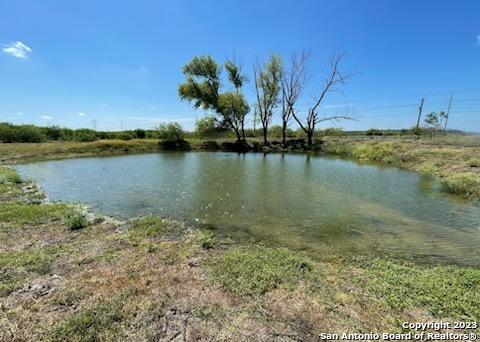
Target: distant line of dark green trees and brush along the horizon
{"points": [[204, 129]]}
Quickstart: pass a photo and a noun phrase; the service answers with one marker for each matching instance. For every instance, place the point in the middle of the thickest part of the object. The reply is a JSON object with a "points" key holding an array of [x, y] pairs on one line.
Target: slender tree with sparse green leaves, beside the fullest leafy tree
{"points": [[267, 88]]}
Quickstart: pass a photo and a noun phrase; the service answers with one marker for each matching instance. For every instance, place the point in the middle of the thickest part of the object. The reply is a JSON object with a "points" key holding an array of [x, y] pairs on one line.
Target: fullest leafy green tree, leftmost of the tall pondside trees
{"points": [[202, 87]]}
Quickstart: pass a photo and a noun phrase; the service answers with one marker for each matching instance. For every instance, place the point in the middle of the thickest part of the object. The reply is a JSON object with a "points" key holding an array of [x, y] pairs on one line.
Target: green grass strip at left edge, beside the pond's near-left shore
{"points": [[19, 213]]}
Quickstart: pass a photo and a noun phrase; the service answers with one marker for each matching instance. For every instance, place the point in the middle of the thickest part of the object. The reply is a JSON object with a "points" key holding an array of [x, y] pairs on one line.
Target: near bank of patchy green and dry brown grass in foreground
{"points": [[154, 279]]}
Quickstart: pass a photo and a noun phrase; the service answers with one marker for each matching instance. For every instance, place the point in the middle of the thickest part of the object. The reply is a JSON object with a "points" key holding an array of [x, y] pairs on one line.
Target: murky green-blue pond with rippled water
{"points": [[323, 205]]}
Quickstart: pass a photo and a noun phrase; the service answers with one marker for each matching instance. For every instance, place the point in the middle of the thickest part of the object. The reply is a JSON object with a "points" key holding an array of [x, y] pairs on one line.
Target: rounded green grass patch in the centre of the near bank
{"points": [[254, 270]]}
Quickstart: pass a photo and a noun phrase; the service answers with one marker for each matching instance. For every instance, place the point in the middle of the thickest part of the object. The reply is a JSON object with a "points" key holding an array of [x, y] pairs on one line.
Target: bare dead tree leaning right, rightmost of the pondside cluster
{"points": [[334, 82]]}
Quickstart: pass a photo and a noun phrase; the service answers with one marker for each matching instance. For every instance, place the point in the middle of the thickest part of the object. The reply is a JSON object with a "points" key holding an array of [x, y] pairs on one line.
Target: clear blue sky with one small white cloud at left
{"points": [[114, 63]]}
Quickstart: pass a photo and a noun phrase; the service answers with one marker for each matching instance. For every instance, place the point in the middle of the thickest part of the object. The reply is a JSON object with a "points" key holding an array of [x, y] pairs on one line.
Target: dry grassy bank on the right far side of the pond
{"points": [[455, 162]]}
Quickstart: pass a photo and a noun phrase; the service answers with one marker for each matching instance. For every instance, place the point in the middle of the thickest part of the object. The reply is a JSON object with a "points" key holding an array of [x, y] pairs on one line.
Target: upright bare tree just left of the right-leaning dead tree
{"points": [[293, 83]]}
